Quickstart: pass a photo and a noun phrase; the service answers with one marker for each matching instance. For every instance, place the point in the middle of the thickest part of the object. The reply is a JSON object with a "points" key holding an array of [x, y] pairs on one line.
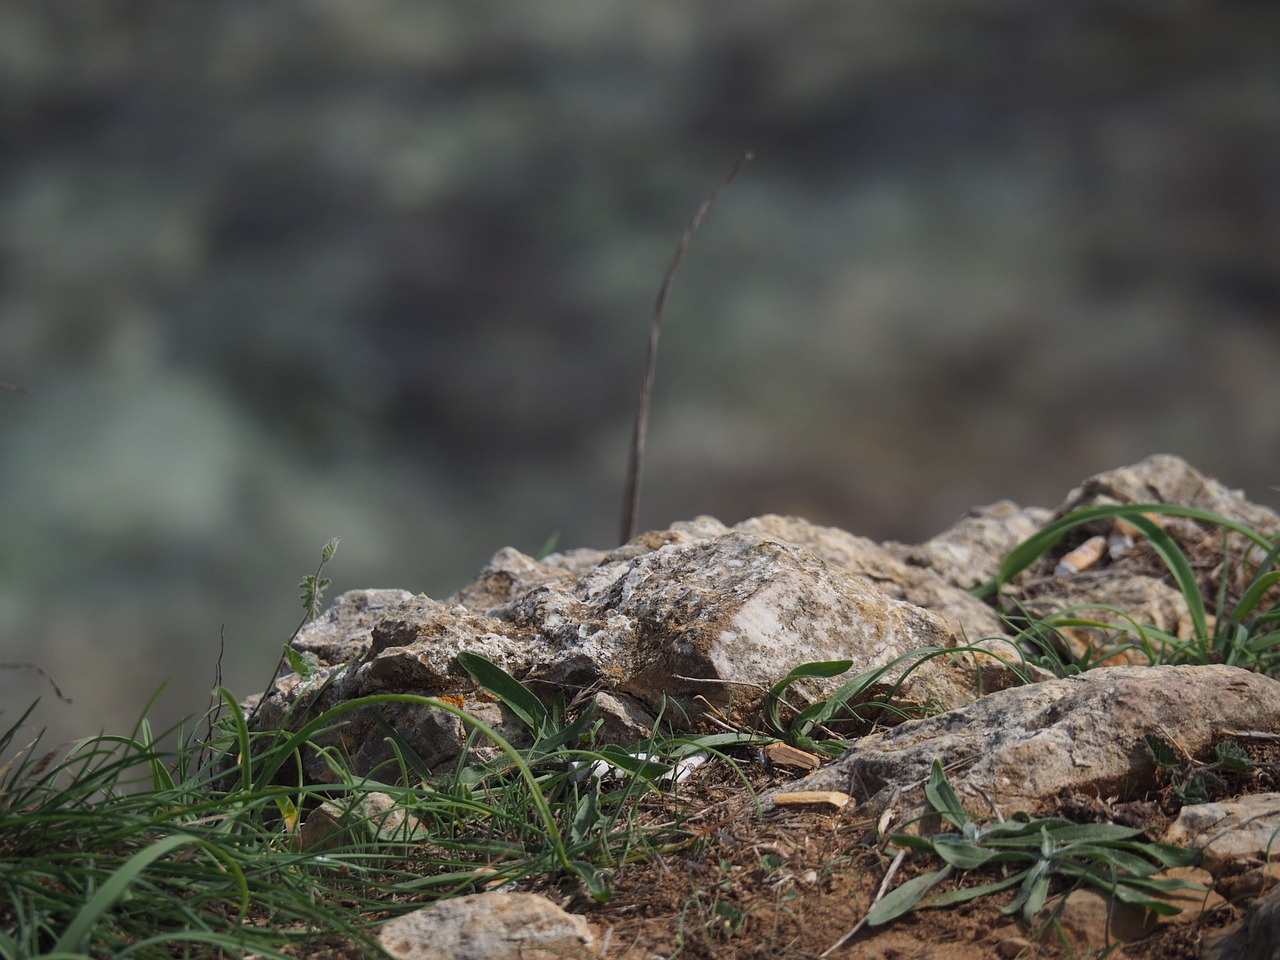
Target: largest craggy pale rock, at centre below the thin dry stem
{"points": [[697, 612]]}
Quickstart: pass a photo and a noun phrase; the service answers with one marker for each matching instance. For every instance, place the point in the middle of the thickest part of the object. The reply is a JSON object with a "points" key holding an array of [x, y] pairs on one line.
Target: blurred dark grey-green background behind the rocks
{"points": [[383, 271]]}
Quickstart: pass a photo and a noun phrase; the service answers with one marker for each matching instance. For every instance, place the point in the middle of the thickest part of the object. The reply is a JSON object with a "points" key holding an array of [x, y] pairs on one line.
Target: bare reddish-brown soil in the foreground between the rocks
{"points": [[794, 885]]}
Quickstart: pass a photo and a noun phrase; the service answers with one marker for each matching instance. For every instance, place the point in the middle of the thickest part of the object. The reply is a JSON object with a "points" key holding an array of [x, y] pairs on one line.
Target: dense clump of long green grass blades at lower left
{"points": [[117, 848]]}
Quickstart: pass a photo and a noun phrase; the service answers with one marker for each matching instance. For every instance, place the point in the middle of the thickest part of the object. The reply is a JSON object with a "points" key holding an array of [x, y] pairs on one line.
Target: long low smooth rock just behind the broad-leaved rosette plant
{"points": [[1021, 748]]}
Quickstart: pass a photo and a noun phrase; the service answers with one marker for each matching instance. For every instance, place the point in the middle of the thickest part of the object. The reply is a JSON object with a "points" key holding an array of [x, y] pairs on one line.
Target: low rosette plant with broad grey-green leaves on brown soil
{"points": [[1034, 853]]}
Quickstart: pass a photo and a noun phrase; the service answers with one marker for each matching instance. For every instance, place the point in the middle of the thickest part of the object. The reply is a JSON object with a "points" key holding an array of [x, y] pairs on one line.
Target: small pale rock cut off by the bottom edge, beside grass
{"points": [[488, 927]]}
